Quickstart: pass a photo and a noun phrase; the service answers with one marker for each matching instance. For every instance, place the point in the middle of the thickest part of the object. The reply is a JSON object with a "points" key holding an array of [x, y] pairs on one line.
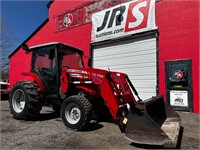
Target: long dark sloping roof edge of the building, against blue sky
{"points": [[38, 29]]}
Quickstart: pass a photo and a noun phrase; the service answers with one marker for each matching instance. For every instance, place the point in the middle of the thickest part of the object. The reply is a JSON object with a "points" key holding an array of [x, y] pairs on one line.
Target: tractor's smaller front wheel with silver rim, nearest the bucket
{"points": [[76, 112]]}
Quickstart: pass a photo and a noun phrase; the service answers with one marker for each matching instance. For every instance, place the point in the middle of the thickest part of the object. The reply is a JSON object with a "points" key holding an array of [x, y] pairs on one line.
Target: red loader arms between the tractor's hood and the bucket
{"points": [[116, 93]]}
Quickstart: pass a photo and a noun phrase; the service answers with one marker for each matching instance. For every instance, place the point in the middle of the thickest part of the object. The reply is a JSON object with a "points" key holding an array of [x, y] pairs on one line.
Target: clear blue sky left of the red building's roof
{"points": [[23, 17]]}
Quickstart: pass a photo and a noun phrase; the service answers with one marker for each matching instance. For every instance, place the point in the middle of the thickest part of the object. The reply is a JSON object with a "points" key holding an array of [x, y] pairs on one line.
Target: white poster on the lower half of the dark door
{"points": [[179, 98]]}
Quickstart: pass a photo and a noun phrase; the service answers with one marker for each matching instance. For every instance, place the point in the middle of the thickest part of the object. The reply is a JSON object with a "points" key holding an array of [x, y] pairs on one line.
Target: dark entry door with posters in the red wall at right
{"points": [[179, 84]]}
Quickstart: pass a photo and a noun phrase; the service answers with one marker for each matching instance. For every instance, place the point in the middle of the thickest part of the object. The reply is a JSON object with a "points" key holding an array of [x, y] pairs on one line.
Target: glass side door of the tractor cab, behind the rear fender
{"points": [[44, 65]]}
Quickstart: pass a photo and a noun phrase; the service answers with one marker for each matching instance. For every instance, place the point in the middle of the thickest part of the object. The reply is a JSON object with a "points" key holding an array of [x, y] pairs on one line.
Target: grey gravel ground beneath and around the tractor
{"points": [[49, 132]]}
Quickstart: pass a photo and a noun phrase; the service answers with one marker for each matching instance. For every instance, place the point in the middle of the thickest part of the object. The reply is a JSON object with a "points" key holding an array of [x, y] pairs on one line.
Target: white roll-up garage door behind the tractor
{"points": [[135, 57]]}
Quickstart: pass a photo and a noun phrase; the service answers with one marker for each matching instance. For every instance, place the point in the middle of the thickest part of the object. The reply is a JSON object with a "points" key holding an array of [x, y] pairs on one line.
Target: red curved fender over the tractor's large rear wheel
{"points": [[36, 79]]}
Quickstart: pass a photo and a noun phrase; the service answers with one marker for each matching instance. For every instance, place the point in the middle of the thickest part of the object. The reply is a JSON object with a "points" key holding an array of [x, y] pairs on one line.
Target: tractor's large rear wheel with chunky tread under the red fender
{"points": [[25, 100]]}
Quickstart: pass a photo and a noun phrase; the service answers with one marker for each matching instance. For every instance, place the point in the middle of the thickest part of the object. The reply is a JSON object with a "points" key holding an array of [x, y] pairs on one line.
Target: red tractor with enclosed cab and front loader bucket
{"points": [[59, 79]]}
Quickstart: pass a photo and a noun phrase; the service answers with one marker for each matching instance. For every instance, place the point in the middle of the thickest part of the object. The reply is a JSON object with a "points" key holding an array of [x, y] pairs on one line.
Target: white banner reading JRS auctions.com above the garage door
{"points": [[128, 18]]}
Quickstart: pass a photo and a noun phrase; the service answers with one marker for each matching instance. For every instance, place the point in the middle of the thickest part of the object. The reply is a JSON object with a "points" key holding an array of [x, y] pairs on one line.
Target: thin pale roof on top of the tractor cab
{"points": [[57, 44]]}
